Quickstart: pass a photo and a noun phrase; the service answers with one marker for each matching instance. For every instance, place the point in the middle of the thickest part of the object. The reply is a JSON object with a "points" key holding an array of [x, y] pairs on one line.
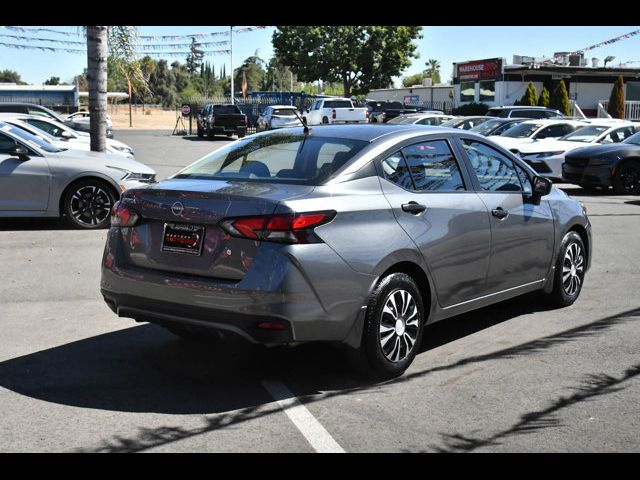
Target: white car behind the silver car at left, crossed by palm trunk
{"points": [[62, 135]]}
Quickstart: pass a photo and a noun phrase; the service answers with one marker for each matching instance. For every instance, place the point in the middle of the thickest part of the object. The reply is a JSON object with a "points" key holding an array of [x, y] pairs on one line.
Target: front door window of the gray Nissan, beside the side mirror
{"points": [[494, 170]]}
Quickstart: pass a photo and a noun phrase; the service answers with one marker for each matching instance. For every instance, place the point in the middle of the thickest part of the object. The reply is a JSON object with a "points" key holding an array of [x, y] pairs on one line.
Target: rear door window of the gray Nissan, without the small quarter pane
{"points": [[433, 167]]}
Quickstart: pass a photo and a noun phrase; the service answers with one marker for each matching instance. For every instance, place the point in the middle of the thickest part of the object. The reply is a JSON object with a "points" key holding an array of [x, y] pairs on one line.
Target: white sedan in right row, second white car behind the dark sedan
{"points": [[531, 131]]}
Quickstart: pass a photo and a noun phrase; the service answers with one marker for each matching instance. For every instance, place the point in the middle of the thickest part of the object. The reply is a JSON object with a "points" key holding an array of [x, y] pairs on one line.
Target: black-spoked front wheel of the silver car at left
{"points": [[87, 204]]}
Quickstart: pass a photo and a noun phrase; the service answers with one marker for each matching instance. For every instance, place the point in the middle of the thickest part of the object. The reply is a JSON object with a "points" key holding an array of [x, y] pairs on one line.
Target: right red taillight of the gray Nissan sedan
{"points": [[291, 228]]}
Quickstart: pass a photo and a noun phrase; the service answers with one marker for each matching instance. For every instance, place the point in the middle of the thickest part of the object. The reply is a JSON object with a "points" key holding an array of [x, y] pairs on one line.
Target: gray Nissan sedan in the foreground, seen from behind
{"points": [[352, 234]]}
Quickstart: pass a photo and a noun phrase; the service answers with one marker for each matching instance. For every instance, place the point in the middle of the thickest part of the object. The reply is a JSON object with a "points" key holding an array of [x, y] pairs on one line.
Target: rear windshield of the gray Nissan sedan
{"points": [[278, 158]]}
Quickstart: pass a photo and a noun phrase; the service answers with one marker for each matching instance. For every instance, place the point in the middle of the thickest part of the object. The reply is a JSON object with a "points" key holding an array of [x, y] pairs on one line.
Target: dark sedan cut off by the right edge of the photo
{"points": [[614, 165]]}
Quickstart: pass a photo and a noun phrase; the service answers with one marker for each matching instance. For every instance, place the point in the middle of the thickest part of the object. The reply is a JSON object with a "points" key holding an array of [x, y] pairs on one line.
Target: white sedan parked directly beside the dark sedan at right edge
{"points": [[547, 157]]}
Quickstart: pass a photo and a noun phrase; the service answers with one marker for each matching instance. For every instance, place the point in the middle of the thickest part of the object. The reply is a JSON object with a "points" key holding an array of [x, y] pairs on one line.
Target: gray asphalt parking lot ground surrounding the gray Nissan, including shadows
{"points": [[511, 377]]}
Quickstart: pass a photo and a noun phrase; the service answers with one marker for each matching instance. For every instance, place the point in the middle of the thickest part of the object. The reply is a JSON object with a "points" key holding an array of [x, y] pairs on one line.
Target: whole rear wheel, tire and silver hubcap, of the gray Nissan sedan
{"points": [[393, 328]]}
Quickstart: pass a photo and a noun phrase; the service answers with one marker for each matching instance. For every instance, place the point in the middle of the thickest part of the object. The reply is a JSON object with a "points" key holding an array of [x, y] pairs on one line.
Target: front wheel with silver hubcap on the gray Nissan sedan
{"points": [[570, 271]]}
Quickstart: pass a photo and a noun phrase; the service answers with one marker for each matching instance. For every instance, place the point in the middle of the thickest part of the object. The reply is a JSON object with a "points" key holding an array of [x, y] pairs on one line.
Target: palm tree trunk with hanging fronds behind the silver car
{"points": [[121, 40]]}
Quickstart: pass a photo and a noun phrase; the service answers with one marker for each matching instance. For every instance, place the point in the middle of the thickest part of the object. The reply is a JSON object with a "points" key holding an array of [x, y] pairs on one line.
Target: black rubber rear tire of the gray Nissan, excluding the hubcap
{"points": [[371, 347]]}
